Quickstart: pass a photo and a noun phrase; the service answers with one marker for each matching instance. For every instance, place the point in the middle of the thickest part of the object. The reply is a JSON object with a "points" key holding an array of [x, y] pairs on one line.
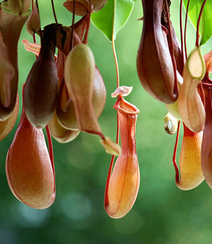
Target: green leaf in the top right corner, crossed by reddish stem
{"points": [[206, 22]]}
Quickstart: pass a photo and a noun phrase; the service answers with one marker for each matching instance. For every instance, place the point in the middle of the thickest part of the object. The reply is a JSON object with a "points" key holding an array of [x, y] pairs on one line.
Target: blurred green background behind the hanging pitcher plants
{"points": [[162, 213]]}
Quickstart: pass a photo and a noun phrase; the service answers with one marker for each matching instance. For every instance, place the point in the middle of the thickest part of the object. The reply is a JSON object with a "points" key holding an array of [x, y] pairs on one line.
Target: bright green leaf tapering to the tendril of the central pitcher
{"points": [[112, 17]]}
